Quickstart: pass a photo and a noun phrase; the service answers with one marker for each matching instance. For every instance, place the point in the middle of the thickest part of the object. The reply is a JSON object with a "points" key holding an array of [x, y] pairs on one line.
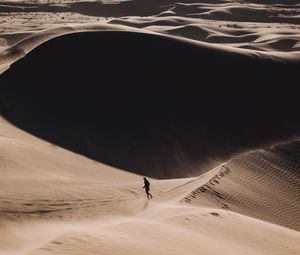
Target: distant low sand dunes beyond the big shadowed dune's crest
{"points": [[260, 26]]}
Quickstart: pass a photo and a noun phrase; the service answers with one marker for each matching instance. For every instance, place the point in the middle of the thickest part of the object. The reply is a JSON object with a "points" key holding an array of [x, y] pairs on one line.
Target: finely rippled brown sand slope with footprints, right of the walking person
{"points": [[262, 184]]}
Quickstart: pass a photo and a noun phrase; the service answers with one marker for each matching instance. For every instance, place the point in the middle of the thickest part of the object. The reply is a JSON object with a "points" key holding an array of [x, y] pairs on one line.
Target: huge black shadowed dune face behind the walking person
{"points": [[150, 104]]}
